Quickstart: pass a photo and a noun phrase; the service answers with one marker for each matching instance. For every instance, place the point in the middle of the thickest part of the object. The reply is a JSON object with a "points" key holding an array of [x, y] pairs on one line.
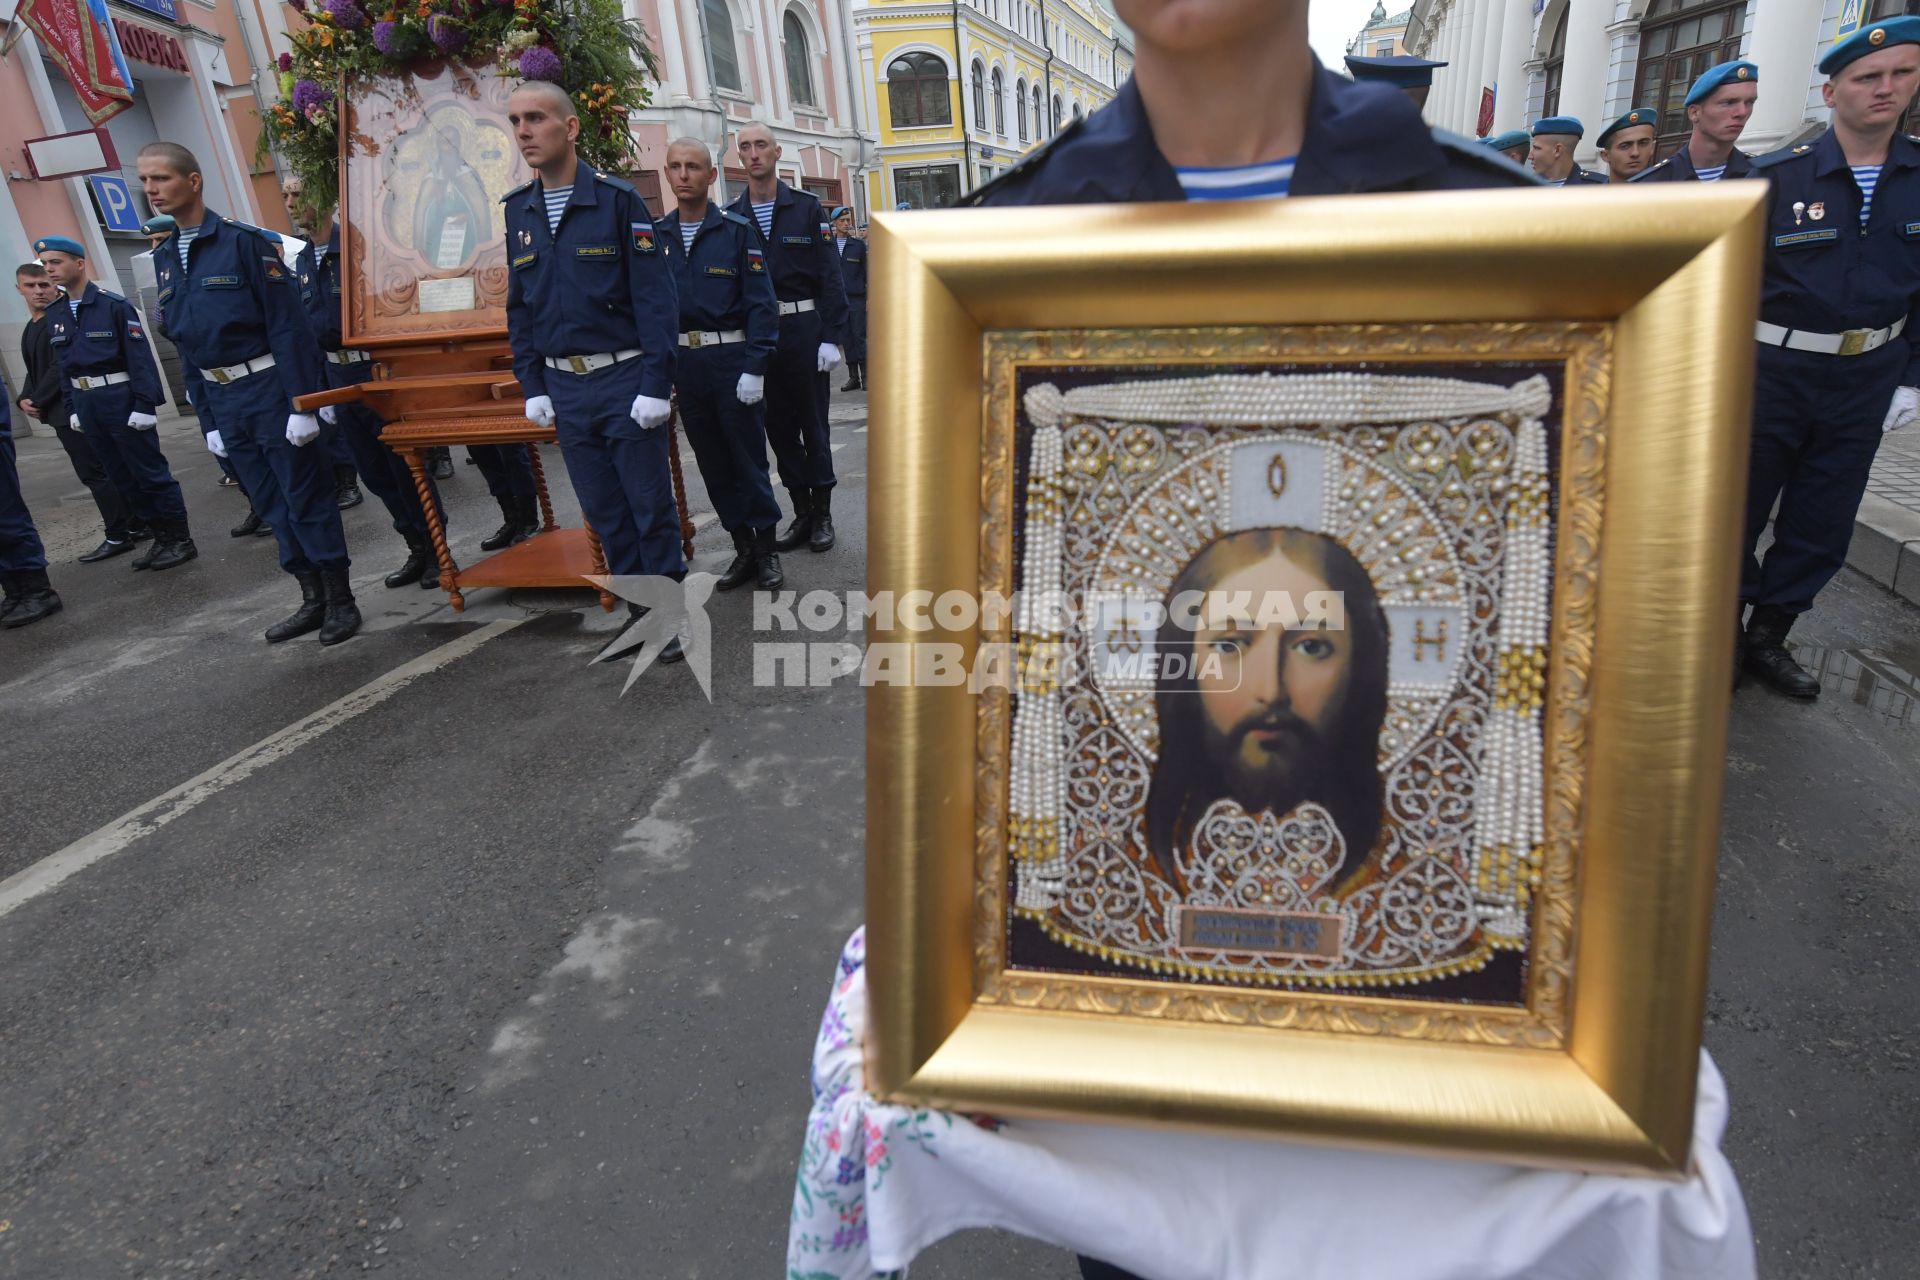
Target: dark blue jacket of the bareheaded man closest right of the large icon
{"points": [[598, 285]]}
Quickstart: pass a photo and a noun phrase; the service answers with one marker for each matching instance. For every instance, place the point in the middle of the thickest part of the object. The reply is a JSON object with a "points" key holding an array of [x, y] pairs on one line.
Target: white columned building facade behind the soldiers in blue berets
{"points": [[1602, 59]]}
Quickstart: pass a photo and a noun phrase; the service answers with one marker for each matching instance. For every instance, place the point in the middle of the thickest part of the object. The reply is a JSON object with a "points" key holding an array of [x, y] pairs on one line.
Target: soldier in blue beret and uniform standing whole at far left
{"points": [[112, 391]]}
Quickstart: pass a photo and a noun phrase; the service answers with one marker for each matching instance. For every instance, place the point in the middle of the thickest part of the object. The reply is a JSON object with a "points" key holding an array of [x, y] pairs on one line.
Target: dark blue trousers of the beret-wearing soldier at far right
{"points": [[1815, 433]]}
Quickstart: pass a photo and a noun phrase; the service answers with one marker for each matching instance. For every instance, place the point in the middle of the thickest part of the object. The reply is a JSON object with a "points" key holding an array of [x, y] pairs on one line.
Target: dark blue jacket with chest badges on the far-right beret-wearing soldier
{"points": [[1825, 273]]}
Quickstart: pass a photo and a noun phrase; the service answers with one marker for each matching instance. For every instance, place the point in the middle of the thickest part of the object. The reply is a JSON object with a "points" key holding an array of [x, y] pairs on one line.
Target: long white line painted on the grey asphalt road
{"points": [[243, 765]]}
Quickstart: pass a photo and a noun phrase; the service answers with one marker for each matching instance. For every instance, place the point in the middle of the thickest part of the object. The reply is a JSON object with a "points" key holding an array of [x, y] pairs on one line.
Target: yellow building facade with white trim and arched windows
{"points": [[961, 91]]}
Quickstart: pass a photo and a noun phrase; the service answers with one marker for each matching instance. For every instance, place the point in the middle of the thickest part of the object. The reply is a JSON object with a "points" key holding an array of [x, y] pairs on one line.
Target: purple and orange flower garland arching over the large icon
{"points": [[587, 47]]}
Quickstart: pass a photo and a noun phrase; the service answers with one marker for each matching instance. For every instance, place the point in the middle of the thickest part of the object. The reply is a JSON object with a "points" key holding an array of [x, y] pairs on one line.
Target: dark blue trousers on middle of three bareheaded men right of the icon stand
{"points": [[729, 439]]}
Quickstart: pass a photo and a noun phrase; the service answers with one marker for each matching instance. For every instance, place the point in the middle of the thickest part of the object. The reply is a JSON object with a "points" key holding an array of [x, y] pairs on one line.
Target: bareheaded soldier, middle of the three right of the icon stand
{"points": [[729, 331]]}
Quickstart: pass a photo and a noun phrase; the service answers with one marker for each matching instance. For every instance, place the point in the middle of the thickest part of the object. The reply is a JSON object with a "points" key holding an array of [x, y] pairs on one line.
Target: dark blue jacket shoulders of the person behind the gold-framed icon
{"points": [[1360, 137]]}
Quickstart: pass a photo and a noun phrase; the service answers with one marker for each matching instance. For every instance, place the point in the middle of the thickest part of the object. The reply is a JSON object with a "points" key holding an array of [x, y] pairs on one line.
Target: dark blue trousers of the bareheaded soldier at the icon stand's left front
{"points": [[291, 488]]}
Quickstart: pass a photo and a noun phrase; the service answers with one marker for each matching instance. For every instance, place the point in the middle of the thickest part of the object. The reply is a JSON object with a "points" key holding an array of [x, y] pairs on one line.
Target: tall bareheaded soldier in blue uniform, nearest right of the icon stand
{"points": [[594, 325]]}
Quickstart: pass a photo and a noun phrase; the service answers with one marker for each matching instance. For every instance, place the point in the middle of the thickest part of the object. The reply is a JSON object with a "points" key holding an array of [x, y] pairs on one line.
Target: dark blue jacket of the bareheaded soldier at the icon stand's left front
{"points": [[237, 302]]}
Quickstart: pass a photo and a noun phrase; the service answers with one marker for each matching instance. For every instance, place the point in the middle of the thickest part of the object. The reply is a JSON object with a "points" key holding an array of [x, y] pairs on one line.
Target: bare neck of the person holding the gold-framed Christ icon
{"points": [[1199, 103]]}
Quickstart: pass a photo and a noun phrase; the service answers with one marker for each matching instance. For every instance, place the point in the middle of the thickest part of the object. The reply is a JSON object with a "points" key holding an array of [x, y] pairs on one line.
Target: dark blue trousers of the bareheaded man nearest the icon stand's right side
{"points": [[621, 473]]}
